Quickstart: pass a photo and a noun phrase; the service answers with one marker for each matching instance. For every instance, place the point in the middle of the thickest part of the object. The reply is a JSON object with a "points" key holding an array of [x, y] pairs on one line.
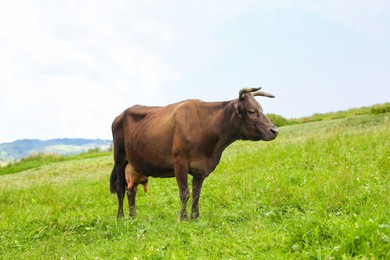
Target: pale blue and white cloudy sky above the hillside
{"points": [[68, 68]]}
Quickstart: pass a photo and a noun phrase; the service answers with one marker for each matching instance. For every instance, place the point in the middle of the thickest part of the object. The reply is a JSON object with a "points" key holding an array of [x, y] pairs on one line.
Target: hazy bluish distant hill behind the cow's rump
{"points": [[18, 149]]}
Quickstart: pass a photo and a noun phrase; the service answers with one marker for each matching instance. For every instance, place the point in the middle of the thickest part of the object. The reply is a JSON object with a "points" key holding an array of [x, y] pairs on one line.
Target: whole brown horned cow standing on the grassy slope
{"points": [[183, 138]]}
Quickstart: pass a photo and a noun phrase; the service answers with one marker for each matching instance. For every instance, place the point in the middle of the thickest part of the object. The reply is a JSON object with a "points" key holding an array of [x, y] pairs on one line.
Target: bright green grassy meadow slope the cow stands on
{"points": [[319, 191]]}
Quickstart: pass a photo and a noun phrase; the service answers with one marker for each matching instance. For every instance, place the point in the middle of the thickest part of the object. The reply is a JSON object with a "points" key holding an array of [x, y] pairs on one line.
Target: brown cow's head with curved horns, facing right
{"points": [[254, 125]]}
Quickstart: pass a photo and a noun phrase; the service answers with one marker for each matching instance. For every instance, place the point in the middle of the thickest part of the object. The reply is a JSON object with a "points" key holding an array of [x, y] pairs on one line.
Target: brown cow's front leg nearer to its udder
{"points": [[181, 173]]}
